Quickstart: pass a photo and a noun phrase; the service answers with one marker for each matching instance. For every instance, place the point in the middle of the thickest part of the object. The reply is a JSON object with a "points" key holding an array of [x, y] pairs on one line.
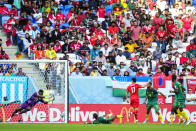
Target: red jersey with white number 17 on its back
{"points": [[133, 90]]}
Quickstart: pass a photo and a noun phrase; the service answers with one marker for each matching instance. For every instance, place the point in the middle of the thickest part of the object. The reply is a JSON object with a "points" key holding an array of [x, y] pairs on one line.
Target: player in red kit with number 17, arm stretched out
{"points": [[134, 97]]}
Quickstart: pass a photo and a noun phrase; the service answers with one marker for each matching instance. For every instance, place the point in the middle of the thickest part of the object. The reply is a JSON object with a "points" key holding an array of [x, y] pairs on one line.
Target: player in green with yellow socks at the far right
{"points": [[179, 100]]}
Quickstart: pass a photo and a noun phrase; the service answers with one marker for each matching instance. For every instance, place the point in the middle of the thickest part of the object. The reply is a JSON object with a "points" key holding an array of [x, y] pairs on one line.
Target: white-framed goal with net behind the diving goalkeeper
{"points": [[20, 79]]}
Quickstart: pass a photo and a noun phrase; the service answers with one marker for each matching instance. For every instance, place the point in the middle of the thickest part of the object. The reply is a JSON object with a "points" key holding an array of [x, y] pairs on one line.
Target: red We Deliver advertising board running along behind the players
{"points": [[79, 113]]}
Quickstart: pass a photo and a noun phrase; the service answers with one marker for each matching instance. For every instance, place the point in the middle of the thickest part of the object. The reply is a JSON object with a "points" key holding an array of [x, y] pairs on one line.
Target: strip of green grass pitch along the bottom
{"points": [[100, 127]]}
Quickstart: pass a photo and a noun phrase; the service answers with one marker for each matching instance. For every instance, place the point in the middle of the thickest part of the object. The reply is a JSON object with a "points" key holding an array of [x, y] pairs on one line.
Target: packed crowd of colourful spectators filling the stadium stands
{"points": [[109, 37]]}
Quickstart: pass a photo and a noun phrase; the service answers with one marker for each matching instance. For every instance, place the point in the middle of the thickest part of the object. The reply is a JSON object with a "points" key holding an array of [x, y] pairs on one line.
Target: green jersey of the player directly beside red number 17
{"points": [[152, 96]]}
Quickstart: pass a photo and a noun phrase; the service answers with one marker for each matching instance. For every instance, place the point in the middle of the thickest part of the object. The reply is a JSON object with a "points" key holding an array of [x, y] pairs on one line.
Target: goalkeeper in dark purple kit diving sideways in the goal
{"points": [[29, 104]]}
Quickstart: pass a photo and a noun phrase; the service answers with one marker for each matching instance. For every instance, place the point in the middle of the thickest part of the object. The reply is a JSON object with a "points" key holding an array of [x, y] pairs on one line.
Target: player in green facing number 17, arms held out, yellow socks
{"points": [[152, 96]]}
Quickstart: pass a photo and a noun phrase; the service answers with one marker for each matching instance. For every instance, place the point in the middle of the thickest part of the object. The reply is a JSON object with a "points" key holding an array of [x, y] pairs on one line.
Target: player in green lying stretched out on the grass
{"points": [[104, 120]]}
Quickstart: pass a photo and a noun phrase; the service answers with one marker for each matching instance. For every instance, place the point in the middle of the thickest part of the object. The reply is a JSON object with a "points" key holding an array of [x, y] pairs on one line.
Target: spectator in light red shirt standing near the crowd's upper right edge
{"points": [[187, 22]]}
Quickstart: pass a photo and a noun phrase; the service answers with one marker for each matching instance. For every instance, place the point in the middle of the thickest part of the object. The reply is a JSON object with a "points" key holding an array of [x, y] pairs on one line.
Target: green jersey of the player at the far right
{"points": [[180, 94]]}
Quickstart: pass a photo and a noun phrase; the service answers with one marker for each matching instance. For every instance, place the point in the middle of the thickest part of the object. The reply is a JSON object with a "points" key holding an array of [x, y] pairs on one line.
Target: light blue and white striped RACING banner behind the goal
{"points": [[14, 88]]}
